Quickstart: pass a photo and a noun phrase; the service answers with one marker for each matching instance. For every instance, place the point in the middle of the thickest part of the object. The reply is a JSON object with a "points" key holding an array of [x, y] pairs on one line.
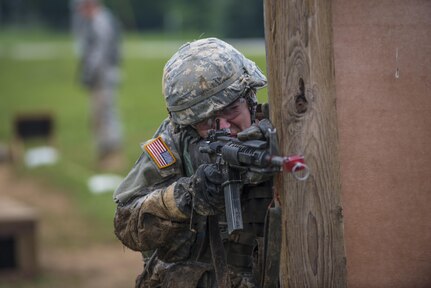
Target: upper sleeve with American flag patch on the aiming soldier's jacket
{"points": [[160, 164]]}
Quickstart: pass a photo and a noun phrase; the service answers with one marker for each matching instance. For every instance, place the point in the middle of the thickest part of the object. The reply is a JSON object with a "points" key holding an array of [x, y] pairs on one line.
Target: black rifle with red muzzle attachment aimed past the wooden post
{"points": [[235, 156]]}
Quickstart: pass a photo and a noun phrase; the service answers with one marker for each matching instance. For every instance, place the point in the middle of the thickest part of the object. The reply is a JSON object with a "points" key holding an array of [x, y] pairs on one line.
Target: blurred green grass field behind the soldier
{"points": [[38, 73]]}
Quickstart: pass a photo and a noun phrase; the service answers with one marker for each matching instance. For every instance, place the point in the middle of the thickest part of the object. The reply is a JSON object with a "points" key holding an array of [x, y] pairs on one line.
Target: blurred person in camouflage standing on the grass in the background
{"points": [[98, 44]]}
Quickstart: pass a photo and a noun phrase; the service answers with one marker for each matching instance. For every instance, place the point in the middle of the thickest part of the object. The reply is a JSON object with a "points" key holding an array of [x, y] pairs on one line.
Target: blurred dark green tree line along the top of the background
{"points": [[226, 18]]}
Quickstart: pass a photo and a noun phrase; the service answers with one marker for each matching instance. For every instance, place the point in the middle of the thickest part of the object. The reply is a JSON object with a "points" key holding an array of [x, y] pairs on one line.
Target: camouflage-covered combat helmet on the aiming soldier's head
{"points": [[204, 76]]}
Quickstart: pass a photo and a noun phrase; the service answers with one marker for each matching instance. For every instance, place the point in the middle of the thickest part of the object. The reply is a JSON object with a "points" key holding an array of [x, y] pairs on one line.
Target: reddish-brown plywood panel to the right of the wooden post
{"points": [[383, 81]]}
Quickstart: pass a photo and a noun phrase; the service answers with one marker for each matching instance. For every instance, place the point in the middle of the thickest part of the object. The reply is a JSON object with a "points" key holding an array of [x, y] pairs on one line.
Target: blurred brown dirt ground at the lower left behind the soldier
{"points": [[65, 258]]}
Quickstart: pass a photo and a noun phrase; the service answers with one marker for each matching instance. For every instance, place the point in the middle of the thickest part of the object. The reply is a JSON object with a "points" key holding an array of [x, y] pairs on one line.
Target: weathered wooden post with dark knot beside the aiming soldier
{"points": [[302, 102]]}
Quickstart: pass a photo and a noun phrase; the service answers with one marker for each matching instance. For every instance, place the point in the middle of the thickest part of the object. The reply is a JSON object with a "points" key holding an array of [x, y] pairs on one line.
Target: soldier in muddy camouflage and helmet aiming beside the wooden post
{"points": [[165, 203]]}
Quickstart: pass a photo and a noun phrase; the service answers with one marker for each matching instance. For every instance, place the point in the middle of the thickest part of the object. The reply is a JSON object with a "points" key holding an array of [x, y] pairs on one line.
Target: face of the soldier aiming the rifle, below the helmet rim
{"points": [[236, 117]]}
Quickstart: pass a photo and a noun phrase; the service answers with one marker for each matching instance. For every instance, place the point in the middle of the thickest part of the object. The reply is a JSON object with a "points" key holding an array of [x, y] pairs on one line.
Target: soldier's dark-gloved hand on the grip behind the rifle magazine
{"points": [[208, 198]]}
